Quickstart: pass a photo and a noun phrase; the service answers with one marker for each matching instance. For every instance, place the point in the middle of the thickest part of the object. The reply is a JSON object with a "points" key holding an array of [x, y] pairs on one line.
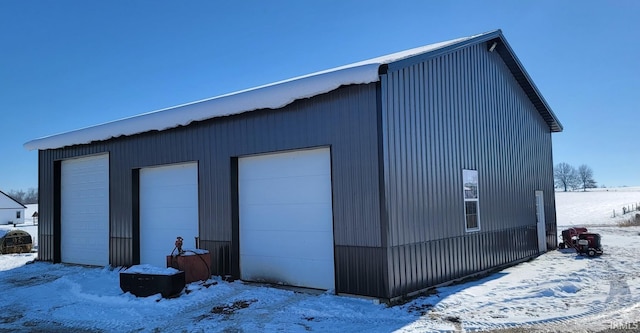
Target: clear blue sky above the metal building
{"points": [[65, 65]]}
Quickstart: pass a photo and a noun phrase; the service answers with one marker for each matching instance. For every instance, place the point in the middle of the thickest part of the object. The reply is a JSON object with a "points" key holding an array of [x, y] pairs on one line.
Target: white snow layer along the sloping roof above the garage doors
{"points": [[270, 96]]}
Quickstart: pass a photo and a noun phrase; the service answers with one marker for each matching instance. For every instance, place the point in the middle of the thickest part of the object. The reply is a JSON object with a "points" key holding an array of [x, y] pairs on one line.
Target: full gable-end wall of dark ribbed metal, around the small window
{"points": [[462, 110]]}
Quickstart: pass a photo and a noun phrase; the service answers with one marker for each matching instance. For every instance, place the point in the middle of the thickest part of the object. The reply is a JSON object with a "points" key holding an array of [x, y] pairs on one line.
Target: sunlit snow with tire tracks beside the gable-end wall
{"points": [[558, 291]]}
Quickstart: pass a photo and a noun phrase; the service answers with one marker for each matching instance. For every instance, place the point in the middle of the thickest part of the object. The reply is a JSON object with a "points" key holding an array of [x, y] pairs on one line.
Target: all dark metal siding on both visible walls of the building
{"points": [[462, 110]]}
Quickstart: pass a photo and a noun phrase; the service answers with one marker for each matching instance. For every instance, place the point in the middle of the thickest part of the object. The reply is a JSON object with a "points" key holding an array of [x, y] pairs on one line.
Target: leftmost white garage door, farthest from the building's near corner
{"points": [[84, 210]]}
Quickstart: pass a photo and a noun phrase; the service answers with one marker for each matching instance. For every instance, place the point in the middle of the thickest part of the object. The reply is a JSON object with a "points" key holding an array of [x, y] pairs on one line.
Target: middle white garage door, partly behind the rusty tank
{"points": [[168, 209]]}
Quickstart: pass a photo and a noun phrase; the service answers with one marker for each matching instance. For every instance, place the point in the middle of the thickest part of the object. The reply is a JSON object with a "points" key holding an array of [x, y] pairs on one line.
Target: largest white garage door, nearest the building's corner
{"points": [[286, 218]]}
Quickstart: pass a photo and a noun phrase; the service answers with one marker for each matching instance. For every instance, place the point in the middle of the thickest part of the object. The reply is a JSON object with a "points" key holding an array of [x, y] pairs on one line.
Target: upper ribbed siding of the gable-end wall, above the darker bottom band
{"points": [[478, 119]]}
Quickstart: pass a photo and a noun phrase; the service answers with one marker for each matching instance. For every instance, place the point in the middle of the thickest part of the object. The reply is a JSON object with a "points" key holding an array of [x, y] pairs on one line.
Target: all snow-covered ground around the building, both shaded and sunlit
{"points": [[558, 291]]}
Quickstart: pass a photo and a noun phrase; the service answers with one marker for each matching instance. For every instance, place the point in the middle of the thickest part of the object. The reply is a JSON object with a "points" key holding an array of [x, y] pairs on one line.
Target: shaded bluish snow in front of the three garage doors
{"points": [[43, 296]]}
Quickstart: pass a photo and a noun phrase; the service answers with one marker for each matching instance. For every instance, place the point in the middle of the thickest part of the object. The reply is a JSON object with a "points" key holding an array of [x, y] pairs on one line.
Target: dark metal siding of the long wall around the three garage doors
{"points": [[344, 119]]}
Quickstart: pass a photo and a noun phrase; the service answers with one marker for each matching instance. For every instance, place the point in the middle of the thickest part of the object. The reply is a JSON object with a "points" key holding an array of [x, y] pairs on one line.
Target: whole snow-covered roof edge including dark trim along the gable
{"points": [[282, 93]]}
